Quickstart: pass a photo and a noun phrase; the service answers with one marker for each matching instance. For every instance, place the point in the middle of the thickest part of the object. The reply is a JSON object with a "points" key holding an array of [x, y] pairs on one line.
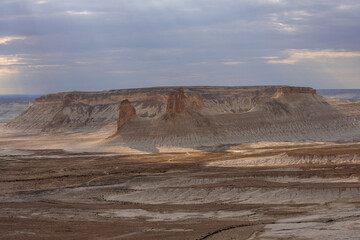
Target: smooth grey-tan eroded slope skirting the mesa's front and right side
{"points": [[296, 117]]}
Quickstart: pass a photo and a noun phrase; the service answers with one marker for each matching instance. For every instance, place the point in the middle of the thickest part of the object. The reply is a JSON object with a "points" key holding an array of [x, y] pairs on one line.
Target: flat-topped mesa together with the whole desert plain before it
{"points": [[265, 163]]}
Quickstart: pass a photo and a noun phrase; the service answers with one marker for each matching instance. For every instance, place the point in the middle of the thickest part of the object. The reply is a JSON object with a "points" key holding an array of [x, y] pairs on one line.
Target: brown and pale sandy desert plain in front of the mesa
{"points": [[67, 188]]}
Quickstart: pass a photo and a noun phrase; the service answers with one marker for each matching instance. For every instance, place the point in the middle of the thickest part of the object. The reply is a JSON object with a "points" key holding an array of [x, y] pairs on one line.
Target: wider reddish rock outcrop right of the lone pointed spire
{"points": [[178, 101]]}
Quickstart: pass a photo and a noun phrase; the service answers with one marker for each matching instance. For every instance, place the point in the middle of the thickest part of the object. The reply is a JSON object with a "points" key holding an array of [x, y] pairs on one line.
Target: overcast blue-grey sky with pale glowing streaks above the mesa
{"points": [[49, 46]]}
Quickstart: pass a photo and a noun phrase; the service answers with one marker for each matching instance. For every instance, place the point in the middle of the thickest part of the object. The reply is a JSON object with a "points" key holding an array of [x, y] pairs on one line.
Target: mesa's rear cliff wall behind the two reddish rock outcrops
{"points": [[89, 111]]}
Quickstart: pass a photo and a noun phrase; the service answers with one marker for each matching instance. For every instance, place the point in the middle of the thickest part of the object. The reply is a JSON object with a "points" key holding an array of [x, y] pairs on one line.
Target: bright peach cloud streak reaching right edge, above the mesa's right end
{"points": [[296, 55]]}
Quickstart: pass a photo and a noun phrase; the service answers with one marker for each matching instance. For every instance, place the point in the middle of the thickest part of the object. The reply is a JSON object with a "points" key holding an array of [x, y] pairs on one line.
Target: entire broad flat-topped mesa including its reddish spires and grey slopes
{"points": [[194, 116]]}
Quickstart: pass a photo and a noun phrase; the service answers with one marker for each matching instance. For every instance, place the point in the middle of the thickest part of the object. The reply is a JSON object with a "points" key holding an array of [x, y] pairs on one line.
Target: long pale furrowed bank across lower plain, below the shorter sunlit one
{"points": [[233, 195]]}
